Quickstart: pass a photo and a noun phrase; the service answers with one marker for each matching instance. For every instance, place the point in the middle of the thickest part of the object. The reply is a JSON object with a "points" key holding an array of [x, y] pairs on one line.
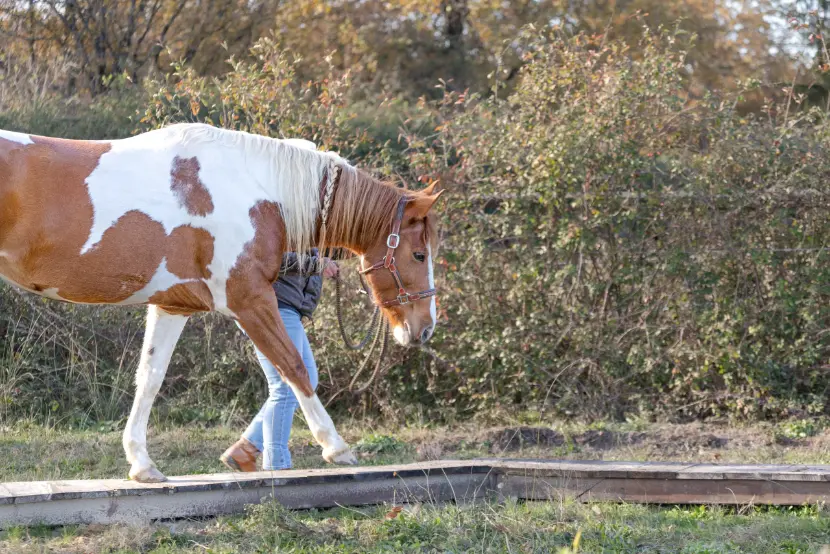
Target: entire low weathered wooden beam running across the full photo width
{"points": [[124, 501]]}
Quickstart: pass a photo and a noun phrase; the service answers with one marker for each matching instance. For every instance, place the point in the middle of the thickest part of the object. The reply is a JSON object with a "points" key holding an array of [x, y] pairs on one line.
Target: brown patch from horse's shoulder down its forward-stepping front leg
{"points": [[251, 297]]}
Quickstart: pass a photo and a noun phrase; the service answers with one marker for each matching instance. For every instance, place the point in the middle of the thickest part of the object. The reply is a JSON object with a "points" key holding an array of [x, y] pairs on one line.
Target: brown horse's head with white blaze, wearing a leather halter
{"points": [[400, 272]]}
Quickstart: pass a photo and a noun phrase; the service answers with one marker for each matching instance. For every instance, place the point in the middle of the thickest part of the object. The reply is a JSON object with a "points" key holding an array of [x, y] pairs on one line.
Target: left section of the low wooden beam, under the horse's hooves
{"points": [[122, 501]]}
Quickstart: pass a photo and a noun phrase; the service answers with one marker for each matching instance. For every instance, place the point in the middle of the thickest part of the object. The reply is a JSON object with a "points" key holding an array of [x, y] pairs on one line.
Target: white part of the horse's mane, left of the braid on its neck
{"points": [[295, 172]]}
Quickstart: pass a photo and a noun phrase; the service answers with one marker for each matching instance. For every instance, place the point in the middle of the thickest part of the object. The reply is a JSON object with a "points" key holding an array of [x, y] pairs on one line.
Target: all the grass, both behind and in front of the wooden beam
{"points": [[33, 452]]}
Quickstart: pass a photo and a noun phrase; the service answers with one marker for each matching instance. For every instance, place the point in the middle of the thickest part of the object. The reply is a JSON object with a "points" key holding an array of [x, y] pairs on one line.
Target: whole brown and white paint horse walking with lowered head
{"points": [[191, 218]]}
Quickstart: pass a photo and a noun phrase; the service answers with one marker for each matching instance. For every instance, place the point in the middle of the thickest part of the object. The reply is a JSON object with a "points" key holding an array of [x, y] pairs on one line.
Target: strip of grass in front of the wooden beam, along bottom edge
{"points": [[530, 527]]}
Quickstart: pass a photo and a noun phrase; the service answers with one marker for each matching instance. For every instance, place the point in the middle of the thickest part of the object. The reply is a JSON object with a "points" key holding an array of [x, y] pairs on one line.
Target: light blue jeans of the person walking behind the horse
{"points": [[270, 429]]}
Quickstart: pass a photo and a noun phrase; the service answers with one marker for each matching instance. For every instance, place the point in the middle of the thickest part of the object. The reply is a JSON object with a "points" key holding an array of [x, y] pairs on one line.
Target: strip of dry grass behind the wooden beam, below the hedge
{"points": [[34, 452]]}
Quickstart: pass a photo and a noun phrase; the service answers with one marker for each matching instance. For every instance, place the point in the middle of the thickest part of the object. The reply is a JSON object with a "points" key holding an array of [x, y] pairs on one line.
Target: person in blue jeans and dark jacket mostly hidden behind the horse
{"points": [[298, 292]]}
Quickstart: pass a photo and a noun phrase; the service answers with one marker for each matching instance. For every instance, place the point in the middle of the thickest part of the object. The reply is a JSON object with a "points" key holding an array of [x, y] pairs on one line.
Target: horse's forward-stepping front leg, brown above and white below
{"points": [[261, 322]]}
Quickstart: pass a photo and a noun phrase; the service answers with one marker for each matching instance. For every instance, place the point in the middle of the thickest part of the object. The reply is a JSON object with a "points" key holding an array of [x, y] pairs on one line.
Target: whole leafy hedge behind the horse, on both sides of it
{"points": [[612, 246]]}
